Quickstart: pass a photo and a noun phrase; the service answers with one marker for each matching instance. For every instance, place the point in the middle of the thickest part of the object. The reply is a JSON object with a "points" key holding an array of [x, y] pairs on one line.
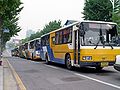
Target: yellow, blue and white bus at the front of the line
{"points": [[81, 44]]}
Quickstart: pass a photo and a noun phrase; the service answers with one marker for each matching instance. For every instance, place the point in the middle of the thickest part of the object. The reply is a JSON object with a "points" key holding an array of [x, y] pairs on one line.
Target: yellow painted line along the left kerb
{"points": [[19, 81]]}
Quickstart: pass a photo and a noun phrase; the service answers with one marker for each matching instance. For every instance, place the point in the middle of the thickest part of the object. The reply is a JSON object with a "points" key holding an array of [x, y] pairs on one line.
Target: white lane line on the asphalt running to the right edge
{"points": [[109, 84]]}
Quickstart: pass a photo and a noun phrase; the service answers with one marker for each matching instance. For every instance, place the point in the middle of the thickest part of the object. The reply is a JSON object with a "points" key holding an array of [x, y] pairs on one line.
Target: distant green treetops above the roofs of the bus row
{"points": [[52, 25]]}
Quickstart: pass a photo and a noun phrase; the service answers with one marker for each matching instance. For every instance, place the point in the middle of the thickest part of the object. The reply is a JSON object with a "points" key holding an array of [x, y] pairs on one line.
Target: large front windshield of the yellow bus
{"points": [[98, 34]]}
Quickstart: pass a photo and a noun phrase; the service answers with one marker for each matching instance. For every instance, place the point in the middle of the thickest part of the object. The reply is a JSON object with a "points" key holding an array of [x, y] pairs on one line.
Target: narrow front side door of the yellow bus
{"points": [[76, 47]]}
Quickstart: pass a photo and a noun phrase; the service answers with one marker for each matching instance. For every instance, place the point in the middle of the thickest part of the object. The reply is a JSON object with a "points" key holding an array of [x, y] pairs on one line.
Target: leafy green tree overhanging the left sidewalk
{"points": [[9, 10]]}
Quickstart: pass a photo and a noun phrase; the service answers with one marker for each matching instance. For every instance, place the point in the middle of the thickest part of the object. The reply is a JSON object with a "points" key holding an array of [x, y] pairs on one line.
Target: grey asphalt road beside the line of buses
{"points": [[39, 76]]}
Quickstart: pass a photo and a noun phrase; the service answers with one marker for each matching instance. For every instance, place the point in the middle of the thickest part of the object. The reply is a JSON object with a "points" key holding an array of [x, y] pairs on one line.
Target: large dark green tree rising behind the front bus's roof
{"points": [[99, 10]]}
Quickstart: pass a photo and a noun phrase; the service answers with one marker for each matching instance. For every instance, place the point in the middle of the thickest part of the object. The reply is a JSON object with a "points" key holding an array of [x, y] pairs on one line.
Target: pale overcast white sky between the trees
{"points": [[37, 13]]}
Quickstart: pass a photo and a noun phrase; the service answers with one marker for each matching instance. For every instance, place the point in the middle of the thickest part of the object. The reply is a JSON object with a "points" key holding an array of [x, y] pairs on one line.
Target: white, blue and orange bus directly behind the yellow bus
{"points": [[34, 49]]}
